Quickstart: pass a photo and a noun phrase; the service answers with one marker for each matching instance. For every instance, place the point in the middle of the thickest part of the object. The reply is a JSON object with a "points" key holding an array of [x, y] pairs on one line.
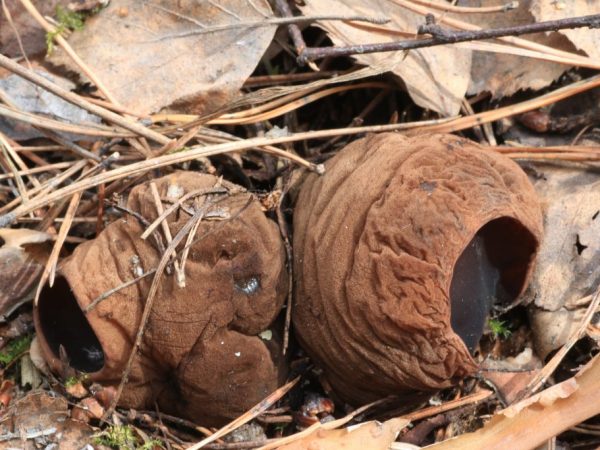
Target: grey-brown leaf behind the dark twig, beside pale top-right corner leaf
{"points": [[503, 74]]}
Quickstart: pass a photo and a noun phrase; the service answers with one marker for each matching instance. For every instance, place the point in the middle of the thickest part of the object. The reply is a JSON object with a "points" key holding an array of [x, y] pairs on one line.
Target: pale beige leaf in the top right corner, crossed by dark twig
{"points": [[585, 39]]}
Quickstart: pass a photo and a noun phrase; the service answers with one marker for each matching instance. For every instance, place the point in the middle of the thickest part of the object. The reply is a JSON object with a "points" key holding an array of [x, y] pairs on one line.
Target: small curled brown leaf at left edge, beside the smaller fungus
{"points": [[19, 269]]}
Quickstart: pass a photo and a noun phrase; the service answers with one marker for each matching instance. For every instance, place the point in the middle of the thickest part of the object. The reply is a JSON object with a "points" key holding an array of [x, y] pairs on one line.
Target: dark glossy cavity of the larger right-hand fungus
{"points": [[491, 270]]}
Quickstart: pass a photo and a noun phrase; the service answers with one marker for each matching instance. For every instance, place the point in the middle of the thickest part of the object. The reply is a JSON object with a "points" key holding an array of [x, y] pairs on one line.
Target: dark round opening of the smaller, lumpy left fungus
{"points": [[63, 323]]}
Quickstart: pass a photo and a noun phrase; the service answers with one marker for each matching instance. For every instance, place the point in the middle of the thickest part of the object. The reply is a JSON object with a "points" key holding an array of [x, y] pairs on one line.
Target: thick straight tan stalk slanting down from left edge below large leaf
{"points": [[75, 99]]}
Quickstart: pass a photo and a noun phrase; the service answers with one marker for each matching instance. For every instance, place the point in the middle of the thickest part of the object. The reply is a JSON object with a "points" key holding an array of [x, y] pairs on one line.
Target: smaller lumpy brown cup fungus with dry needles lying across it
{"points": [[201, 355]]}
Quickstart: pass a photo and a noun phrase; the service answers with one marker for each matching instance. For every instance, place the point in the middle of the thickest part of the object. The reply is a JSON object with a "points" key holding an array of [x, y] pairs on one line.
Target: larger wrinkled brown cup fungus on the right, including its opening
{"points": [[400, 249]]}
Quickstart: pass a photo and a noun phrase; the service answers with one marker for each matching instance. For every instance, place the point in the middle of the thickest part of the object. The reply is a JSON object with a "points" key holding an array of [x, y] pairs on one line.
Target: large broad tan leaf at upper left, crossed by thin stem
{"points": [[144, 53]]}
